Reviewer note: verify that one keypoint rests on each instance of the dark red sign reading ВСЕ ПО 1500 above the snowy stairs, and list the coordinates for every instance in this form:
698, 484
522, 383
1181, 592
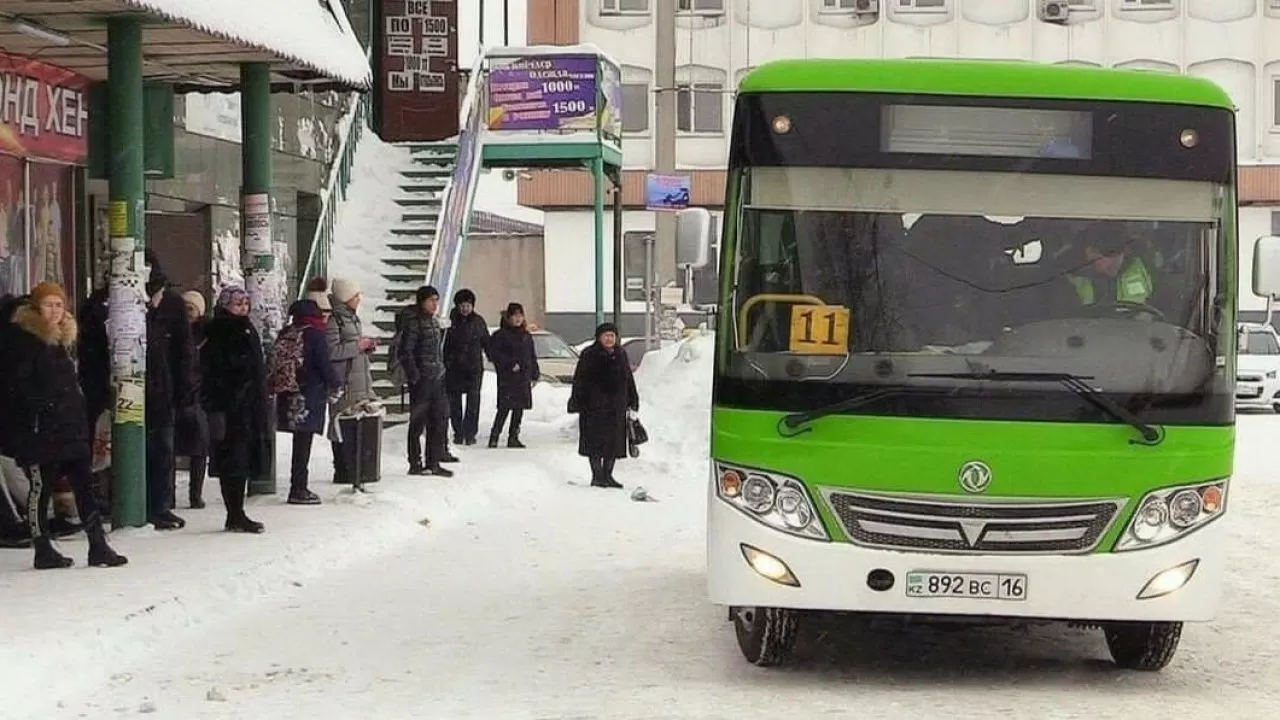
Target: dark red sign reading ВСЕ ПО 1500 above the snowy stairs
417, 94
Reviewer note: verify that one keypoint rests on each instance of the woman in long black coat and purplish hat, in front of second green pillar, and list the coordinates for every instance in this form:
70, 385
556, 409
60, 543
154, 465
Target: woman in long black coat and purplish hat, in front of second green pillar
235, 398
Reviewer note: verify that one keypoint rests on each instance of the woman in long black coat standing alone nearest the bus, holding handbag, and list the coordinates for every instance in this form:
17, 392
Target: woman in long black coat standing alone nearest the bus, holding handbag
605, 391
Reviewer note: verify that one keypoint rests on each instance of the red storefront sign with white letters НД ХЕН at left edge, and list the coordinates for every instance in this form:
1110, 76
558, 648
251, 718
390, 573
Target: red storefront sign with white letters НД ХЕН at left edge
44, 111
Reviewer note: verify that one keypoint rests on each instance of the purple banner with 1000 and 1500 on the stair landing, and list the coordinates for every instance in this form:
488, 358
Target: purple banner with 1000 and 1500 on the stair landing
543, 93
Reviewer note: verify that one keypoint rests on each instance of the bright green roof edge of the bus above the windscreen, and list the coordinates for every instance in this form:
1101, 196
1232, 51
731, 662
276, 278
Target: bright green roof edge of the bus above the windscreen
1000, 79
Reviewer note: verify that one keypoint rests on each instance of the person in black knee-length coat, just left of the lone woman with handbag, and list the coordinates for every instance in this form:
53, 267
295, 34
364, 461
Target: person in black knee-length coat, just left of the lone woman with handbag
511, 349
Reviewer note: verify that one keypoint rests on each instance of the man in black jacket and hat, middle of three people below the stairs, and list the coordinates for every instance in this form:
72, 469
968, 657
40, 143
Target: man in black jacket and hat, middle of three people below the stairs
465, 345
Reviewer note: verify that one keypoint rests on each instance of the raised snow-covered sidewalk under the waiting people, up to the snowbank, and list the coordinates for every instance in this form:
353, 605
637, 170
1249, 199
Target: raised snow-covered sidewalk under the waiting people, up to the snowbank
89, 623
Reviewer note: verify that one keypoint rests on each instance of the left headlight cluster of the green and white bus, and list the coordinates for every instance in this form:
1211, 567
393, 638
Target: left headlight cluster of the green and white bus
779, 502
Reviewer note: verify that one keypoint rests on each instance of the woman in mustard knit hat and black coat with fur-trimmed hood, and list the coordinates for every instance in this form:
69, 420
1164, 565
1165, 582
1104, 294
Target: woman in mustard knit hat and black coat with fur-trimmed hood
47, 420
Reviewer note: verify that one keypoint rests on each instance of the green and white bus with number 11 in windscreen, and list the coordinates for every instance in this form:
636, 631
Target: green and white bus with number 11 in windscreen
976, 353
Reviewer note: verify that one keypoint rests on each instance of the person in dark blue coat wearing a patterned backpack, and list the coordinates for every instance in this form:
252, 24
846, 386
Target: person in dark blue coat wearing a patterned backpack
303, 412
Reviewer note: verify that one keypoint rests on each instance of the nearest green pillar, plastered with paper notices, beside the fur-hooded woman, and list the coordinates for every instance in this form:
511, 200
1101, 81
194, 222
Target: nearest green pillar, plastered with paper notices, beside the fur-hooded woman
127, 308
